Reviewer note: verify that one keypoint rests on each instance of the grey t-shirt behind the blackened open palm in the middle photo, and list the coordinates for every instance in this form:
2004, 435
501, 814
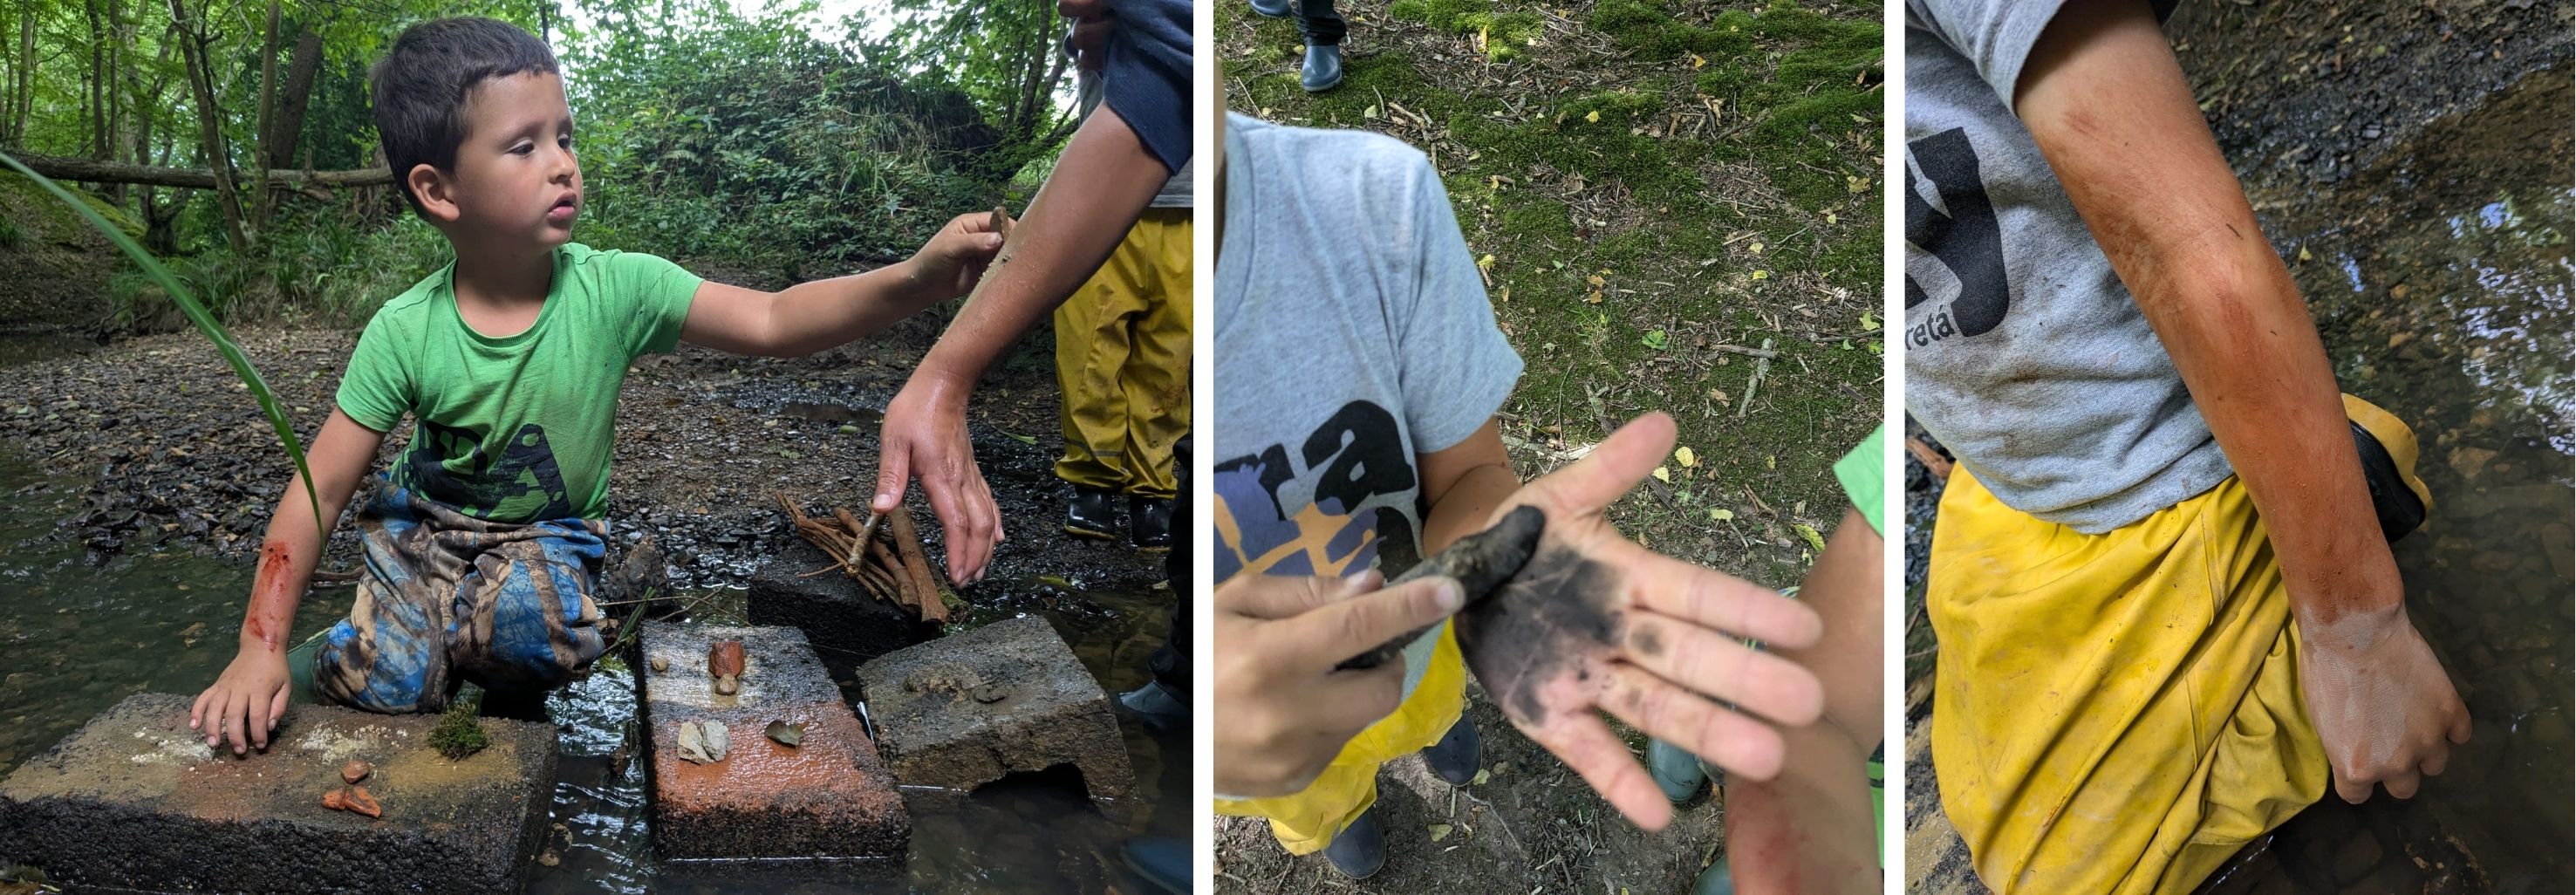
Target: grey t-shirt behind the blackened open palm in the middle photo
1356, 334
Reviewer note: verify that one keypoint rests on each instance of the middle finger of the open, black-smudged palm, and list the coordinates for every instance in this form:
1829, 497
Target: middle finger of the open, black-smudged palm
1722, 669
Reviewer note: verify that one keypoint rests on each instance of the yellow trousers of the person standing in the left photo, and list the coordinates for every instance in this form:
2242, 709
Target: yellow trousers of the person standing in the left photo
1124, 362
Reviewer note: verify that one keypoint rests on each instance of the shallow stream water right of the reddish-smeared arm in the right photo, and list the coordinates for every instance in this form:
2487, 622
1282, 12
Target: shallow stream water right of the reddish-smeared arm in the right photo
2441, 285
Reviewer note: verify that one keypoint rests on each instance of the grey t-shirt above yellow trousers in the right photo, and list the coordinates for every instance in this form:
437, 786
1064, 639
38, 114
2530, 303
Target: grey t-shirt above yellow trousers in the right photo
2023, 349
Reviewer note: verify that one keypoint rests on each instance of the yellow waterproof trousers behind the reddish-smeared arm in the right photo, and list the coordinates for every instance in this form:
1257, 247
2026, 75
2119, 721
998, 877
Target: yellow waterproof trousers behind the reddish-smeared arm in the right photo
2119, 713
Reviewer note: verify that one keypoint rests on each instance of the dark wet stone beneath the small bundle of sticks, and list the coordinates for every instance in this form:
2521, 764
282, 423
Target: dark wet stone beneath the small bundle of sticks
838, 618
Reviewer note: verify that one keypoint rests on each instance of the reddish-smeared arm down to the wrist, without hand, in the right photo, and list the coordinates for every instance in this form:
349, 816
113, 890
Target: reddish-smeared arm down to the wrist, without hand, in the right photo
2108, 107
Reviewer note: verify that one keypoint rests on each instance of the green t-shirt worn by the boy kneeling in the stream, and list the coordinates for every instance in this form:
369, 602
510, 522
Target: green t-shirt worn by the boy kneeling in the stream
516, 429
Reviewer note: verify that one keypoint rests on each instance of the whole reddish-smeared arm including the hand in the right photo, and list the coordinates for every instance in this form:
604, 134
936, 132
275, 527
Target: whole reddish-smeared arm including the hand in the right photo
2108, 107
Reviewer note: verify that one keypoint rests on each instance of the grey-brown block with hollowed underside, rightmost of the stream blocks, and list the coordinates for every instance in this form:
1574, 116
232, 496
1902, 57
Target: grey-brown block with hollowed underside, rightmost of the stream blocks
1009, 698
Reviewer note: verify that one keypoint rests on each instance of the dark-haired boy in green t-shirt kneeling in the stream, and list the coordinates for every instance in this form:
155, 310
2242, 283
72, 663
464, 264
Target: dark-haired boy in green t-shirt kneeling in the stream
488, 538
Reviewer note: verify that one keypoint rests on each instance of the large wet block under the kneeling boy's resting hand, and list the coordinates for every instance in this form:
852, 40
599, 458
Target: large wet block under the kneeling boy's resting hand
135, 801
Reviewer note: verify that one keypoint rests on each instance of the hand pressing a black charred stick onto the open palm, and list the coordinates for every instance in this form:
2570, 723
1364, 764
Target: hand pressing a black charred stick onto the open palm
1282, 708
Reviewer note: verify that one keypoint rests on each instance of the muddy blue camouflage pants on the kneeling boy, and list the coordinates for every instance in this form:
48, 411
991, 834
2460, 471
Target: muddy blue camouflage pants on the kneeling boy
452, 600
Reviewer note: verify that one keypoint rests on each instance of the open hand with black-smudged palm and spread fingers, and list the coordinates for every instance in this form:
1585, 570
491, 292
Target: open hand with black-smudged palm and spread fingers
1601, 623
